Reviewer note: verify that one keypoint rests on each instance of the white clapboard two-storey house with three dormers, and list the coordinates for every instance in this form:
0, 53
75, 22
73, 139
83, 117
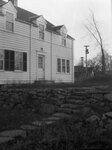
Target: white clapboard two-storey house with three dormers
32, 48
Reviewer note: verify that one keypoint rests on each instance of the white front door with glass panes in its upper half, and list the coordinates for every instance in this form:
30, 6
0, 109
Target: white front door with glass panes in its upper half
41, 67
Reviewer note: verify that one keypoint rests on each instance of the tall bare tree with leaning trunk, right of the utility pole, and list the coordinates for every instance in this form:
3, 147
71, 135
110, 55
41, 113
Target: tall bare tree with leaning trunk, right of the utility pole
94, 31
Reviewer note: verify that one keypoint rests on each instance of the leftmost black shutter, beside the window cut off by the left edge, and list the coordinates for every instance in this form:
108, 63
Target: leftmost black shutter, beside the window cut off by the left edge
7, 60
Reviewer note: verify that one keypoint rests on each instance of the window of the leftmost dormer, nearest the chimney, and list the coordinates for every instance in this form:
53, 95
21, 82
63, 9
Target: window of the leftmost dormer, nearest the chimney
9, 22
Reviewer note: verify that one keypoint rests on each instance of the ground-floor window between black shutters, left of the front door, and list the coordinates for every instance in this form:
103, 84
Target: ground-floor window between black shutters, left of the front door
18, 61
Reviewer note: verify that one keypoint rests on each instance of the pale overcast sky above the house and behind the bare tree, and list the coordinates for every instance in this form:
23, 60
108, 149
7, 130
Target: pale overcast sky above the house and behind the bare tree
74, 14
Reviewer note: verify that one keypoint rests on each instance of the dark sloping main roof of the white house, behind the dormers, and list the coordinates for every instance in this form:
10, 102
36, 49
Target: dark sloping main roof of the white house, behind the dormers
24, 15
